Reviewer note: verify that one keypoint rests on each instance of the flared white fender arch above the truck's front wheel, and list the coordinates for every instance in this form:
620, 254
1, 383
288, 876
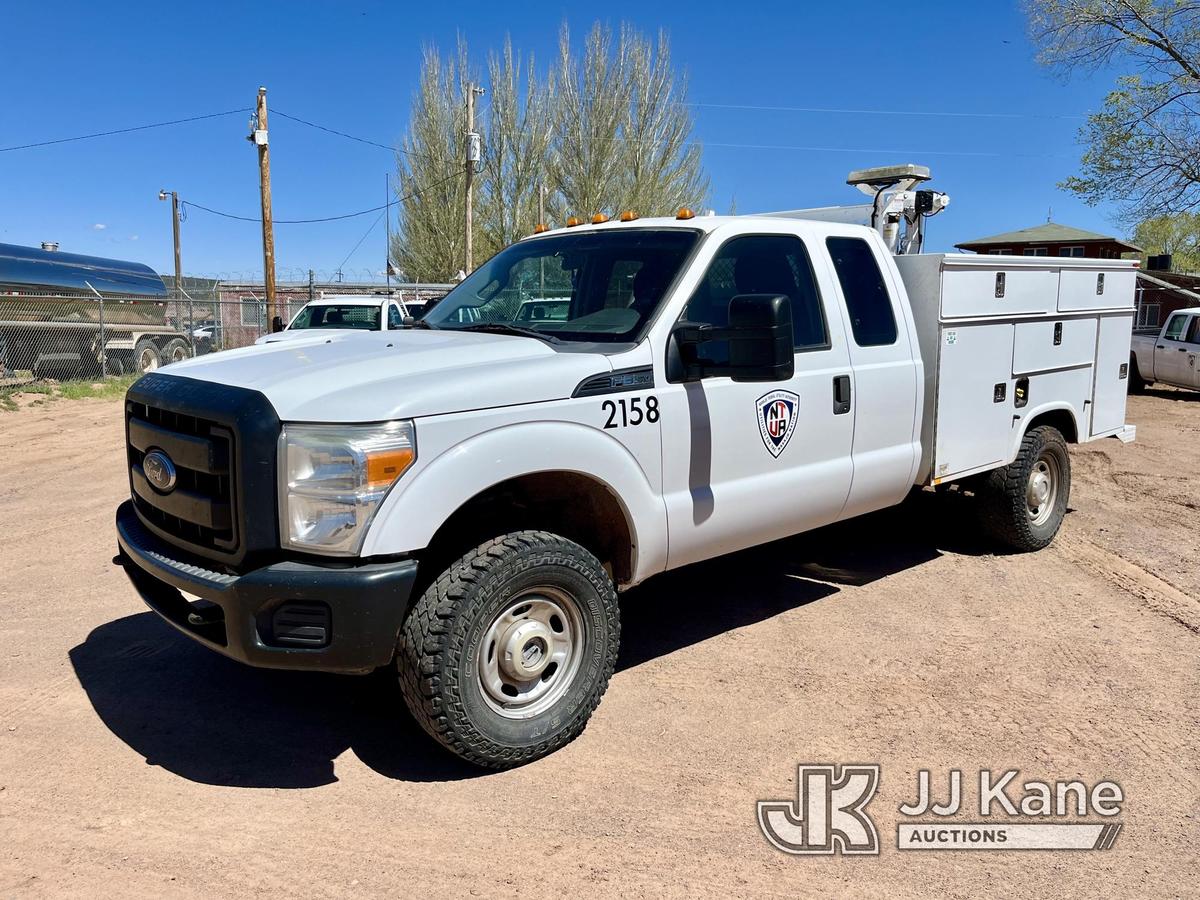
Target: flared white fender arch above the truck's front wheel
427, 499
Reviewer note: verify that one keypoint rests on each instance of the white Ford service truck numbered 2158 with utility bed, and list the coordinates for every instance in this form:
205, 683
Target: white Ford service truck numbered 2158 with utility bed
464, 500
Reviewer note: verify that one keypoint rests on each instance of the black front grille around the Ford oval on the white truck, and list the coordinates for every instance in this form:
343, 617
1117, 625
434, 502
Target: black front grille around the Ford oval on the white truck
201, 509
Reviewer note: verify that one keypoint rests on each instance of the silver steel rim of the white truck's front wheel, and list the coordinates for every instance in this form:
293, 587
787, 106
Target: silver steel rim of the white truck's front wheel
531, 653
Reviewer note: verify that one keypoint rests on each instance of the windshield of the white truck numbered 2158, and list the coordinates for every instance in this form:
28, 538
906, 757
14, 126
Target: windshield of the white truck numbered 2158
596, 286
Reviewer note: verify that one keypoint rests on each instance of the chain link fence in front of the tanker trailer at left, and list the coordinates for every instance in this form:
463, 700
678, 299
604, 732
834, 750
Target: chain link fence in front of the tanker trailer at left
63, 338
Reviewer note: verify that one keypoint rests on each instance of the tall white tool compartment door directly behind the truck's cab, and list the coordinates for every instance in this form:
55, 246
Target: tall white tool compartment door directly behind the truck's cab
974, 428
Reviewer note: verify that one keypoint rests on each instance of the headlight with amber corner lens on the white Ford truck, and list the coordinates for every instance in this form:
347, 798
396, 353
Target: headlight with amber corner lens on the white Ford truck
337, 477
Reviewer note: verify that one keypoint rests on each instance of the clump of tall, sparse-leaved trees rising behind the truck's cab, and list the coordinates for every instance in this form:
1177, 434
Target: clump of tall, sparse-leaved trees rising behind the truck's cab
605, 131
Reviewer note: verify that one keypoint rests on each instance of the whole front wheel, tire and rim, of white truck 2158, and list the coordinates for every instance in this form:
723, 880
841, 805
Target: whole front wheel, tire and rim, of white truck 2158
507, 655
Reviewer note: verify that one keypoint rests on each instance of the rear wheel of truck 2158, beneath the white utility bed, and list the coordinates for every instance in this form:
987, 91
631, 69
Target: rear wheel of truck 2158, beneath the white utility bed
1024, 503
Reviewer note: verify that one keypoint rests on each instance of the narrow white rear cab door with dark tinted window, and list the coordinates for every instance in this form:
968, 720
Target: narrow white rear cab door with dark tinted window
886, 377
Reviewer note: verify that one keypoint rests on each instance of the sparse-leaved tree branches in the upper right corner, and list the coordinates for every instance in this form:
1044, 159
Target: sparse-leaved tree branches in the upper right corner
1143, 149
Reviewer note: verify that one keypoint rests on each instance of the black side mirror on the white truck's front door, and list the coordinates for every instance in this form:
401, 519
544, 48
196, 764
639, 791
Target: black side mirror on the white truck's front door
759, 337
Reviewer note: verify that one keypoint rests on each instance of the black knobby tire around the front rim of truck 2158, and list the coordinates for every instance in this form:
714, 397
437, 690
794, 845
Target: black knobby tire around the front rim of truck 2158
437, 655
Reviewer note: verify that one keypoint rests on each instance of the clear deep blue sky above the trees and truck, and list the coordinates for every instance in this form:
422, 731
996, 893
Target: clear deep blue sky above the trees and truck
998, 131
